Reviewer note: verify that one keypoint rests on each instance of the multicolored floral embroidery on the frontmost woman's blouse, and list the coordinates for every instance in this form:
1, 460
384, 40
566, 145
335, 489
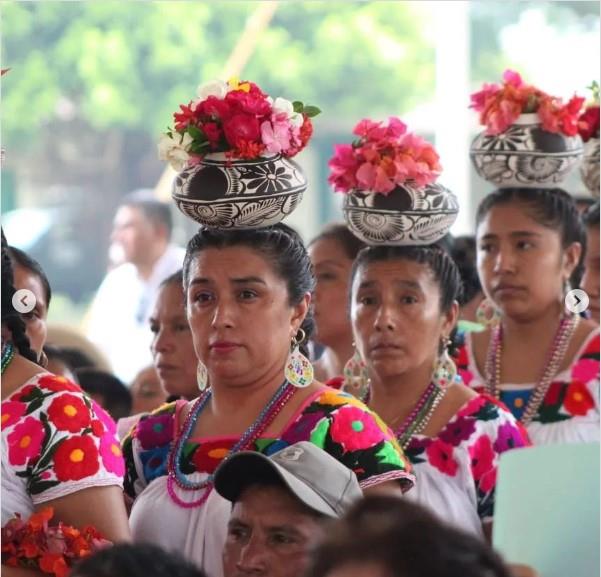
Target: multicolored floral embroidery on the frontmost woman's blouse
334, 421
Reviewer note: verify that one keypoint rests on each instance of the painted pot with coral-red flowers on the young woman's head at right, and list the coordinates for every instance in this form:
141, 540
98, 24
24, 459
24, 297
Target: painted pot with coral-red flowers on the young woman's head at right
531, 138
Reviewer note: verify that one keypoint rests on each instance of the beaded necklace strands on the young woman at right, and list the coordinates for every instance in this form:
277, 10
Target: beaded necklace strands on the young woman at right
566, 329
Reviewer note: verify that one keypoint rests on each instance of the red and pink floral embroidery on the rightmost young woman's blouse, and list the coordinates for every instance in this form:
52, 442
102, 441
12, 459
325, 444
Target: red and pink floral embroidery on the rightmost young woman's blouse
564, 400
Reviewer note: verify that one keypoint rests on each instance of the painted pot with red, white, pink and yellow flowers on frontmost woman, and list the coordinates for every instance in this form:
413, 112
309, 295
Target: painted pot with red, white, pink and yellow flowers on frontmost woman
232, 149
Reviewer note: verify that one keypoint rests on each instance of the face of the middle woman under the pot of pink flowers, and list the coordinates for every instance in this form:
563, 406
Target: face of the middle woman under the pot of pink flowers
396, 317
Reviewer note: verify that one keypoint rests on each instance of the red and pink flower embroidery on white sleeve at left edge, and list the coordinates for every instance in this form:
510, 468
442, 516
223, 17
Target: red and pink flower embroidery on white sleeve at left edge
56, 435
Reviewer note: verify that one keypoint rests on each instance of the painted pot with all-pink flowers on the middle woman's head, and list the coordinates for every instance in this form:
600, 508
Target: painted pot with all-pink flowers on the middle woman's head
388, 176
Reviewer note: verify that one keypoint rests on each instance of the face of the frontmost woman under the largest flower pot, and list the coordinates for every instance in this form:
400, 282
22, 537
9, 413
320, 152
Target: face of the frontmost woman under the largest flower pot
239, 312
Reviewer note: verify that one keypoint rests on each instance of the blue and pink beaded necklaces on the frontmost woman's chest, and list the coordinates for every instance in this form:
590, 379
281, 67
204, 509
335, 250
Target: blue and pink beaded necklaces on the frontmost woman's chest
174, 472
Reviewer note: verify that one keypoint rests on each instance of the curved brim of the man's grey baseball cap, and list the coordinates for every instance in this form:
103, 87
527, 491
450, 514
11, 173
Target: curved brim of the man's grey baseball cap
249, 468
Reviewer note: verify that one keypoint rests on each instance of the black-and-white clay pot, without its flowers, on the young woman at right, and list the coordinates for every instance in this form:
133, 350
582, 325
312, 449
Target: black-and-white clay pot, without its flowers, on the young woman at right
525, 155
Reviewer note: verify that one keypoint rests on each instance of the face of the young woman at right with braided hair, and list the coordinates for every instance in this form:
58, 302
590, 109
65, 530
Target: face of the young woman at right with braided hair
521, 264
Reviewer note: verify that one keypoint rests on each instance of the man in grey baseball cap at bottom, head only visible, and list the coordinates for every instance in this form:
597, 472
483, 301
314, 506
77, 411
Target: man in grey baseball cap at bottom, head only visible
281, 505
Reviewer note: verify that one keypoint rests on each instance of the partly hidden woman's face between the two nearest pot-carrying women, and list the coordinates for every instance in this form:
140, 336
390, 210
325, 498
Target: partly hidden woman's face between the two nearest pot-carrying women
332, 269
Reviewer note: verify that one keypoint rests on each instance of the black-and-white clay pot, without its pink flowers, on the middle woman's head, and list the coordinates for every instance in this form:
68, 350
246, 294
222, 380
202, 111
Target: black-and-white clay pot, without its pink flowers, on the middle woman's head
409, 215
